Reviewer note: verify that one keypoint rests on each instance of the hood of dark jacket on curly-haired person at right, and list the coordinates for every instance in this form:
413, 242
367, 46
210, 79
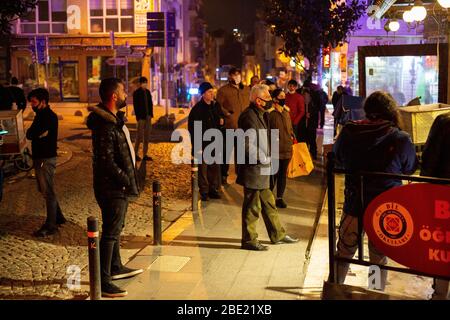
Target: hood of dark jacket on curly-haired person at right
368, 134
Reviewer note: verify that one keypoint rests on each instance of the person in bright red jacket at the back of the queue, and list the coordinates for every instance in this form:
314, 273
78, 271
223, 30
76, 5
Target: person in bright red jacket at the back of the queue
296, 105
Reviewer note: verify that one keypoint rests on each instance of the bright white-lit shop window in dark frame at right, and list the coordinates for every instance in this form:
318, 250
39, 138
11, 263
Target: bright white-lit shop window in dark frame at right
405, 77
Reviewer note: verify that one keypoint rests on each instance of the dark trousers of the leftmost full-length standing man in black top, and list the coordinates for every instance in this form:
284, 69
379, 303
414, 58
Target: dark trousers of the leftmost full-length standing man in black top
45, 173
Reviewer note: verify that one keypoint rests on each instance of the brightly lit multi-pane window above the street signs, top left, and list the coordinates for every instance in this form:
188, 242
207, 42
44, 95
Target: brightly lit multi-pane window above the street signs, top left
111, 15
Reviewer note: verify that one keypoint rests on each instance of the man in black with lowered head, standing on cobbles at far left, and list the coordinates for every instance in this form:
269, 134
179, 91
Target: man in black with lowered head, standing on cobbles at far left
43, 134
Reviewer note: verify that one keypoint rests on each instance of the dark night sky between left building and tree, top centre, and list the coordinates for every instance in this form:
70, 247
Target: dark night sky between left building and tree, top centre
230, 14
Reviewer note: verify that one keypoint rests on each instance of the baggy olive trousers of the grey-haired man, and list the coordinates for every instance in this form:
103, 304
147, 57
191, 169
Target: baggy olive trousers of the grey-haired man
255, 202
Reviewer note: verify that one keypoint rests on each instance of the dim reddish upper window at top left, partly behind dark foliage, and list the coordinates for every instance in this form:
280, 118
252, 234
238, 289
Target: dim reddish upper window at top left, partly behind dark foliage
49, 17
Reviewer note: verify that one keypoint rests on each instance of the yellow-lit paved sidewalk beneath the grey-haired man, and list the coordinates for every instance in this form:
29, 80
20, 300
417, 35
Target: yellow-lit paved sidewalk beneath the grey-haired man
201, 256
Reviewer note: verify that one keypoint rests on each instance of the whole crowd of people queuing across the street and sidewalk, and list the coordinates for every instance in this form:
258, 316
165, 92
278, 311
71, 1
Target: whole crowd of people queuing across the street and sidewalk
296, 111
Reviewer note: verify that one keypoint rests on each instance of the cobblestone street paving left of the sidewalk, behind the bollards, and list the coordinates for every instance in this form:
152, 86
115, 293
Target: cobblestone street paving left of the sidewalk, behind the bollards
32, 268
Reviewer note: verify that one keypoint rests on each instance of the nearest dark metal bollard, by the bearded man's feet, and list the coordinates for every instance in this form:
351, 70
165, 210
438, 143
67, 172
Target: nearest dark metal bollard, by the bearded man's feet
94, 259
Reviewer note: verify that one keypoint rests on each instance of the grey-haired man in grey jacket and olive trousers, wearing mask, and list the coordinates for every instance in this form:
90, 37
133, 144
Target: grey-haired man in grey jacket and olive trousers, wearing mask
254, 176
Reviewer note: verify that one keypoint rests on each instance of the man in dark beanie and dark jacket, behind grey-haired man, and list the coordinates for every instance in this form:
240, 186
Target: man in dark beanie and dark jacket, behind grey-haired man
208, 114
